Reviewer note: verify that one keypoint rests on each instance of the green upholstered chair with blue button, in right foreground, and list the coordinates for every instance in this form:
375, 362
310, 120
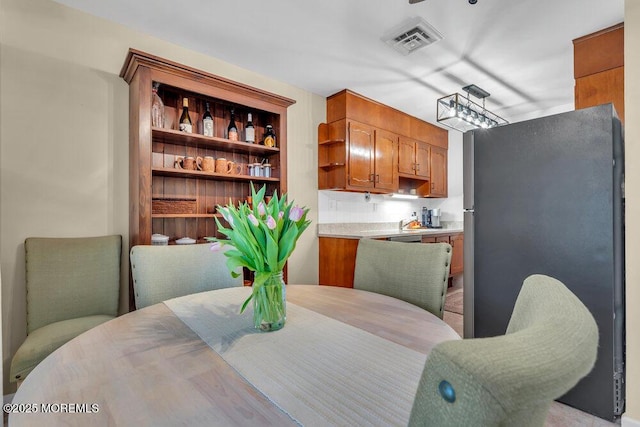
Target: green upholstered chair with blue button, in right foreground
511, 380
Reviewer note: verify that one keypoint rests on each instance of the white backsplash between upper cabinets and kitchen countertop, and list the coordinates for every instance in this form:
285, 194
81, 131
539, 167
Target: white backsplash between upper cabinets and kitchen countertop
344, 207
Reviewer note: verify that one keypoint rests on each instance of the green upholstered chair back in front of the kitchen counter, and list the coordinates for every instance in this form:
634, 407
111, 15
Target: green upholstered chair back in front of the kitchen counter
416, 273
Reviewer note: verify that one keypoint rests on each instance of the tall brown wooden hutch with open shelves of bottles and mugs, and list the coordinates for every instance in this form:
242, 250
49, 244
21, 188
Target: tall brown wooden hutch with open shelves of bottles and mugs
167, 199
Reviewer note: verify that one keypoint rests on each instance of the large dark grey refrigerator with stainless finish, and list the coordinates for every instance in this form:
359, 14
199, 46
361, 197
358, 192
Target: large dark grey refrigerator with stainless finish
547, 196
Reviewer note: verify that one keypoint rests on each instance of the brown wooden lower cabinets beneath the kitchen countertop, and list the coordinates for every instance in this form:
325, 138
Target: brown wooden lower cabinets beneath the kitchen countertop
338, 257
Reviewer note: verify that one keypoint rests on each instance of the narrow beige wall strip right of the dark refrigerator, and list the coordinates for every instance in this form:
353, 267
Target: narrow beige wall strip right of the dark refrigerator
632, 190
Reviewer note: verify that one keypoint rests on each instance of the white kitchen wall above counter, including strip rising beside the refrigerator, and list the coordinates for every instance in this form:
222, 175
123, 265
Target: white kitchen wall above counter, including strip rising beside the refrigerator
342, 207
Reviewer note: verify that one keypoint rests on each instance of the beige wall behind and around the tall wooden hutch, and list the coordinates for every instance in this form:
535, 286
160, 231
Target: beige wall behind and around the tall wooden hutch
64, 138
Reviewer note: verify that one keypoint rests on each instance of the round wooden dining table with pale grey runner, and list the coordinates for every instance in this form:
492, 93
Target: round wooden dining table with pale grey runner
344, 357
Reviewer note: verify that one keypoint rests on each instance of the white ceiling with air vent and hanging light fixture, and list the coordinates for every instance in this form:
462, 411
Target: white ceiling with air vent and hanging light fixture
520, 51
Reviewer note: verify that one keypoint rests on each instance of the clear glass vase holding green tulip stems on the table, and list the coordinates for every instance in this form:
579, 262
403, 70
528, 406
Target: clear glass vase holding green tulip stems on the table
270, 304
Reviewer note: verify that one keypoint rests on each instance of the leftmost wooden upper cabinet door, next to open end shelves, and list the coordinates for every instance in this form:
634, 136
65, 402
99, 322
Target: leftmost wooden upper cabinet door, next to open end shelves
361, 155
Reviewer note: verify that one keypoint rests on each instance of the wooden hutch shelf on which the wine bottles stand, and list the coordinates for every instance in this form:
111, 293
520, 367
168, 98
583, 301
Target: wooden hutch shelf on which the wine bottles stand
170, 136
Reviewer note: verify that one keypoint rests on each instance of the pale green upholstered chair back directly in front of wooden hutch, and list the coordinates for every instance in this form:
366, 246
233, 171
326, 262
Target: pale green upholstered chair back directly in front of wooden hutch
164, 272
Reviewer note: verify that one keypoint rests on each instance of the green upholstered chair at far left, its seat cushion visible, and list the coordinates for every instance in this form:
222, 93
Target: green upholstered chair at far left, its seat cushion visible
73, 284
